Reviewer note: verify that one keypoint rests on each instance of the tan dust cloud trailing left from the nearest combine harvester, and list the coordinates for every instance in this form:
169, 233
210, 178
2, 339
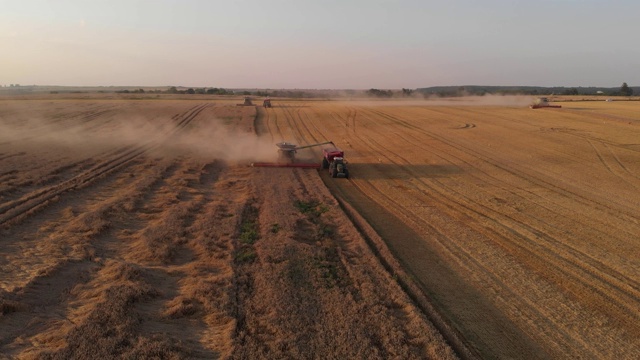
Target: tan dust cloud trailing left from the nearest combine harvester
209, 139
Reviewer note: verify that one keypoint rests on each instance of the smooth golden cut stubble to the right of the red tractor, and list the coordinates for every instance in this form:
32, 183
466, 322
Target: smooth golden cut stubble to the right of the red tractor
522, 226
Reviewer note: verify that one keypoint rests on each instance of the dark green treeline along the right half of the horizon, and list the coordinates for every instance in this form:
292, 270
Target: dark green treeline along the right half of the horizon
449, 91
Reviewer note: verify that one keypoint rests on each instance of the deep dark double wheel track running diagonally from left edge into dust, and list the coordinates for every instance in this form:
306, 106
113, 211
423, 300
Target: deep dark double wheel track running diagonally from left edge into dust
39, 198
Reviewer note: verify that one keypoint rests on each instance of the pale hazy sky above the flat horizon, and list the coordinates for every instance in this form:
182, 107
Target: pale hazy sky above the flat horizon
320, 44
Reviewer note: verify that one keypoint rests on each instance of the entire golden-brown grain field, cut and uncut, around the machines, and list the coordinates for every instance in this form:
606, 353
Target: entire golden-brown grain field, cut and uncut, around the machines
136, 228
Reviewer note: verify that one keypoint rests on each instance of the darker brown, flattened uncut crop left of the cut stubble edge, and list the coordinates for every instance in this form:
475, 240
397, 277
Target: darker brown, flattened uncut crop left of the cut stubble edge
136, 229
